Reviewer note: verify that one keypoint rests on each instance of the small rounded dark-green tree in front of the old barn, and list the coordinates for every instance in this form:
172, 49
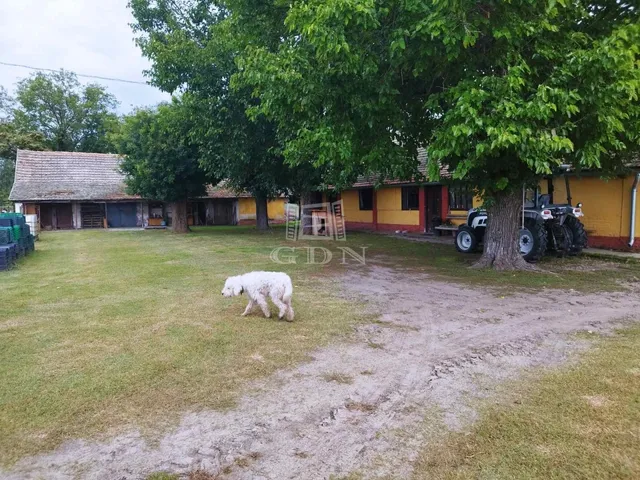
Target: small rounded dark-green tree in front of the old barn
161, 158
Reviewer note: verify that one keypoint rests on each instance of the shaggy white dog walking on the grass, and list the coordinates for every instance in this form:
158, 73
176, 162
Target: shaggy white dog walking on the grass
259, 285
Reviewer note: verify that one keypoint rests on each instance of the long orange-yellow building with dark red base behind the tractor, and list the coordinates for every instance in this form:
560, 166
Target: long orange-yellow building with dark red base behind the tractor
434, 206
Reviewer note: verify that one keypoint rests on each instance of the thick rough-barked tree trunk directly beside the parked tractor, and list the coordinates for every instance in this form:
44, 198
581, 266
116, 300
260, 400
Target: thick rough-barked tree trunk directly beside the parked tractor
501, 247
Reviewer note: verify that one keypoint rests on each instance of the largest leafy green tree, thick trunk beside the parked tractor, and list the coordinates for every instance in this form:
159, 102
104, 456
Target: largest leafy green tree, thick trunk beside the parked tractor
498, 92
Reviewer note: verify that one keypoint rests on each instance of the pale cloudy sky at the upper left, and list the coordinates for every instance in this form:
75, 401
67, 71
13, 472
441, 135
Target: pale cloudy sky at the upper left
84, 36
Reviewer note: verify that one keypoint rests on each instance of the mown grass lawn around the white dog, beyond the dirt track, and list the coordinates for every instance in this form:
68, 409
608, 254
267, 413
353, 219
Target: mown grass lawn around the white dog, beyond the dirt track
102, 330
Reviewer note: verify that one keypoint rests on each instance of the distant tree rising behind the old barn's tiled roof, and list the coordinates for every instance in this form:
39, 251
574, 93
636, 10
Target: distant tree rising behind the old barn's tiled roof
71, 116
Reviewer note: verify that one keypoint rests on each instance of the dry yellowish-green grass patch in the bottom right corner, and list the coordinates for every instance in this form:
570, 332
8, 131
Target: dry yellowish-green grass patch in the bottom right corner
580, 422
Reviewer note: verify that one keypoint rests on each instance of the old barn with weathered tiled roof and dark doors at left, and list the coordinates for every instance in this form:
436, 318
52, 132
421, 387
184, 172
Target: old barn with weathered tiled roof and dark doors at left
72, 190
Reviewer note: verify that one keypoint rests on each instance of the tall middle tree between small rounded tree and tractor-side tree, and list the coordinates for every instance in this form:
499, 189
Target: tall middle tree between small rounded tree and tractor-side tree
193, 46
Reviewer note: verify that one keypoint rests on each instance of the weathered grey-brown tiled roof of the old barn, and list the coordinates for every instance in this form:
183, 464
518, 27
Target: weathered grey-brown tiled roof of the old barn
64, 176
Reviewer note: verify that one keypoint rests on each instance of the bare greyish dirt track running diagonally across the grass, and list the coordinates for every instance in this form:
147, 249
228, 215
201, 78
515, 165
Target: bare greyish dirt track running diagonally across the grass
361, 406
